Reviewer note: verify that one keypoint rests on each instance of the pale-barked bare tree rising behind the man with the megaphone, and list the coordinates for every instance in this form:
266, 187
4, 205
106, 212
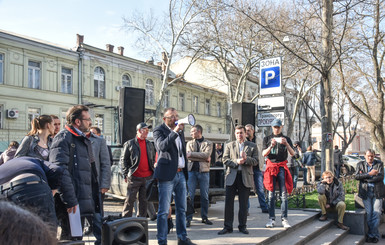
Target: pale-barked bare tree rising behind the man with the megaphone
164, 35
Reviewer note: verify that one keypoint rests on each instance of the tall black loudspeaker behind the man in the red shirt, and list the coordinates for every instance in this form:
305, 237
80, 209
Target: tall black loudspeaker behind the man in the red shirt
131, 112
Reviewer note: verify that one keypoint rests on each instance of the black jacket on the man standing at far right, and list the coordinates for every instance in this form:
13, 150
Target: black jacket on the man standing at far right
364, 178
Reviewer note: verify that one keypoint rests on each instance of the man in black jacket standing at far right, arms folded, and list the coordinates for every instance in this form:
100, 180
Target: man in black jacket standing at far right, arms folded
370, 173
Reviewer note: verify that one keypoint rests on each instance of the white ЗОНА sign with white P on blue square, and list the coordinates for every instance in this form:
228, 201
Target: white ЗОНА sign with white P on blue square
270, 76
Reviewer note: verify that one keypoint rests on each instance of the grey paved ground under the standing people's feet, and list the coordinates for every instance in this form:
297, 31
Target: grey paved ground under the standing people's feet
203, 234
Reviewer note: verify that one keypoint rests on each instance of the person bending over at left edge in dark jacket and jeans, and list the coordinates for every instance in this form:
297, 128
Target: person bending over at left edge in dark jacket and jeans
28, 182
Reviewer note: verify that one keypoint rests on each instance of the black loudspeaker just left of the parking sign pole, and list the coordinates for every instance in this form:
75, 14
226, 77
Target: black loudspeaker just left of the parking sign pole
242, 114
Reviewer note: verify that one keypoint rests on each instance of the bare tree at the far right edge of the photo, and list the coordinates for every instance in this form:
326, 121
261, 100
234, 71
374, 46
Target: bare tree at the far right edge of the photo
367, 88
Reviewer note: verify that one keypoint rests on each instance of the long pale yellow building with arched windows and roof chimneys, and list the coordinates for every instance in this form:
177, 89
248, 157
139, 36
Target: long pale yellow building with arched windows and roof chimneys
38, 77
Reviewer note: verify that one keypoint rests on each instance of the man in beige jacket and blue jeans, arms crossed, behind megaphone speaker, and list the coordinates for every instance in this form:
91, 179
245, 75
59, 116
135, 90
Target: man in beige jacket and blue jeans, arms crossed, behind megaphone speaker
198, 154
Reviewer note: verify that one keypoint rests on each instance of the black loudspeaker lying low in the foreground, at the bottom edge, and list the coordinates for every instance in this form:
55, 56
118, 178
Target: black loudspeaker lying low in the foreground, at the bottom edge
125, 231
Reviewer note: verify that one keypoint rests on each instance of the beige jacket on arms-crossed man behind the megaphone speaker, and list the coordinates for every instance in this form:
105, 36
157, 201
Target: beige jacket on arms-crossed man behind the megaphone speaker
201, 155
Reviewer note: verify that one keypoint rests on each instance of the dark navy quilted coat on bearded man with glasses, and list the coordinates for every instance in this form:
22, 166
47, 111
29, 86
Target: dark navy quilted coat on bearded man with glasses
83, 178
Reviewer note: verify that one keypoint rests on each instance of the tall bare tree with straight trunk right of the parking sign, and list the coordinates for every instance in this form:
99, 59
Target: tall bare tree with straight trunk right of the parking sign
315, 26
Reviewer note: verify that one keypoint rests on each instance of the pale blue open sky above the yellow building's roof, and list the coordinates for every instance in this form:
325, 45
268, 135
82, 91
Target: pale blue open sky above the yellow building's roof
58, 22
